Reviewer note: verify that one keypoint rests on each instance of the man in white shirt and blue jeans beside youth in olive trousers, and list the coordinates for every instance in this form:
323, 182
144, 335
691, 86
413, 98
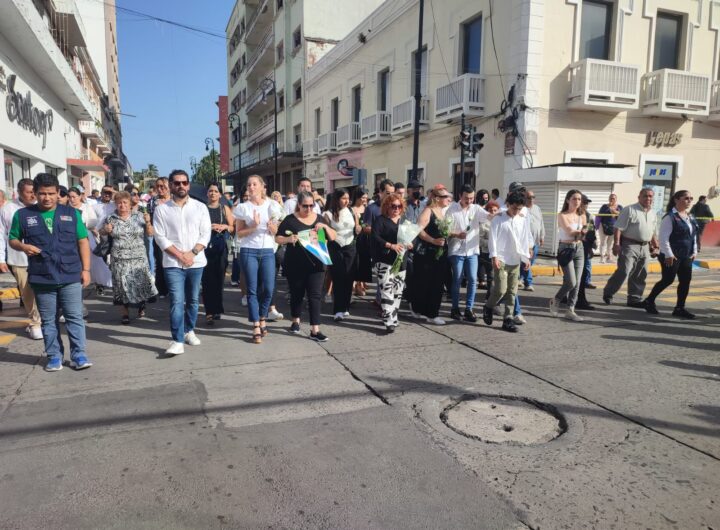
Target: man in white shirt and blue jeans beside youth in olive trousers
464, 249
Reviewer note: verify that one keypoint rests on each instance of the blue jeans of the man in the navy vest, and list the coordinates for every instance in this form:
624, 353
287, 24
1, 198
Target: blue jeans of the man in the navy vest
67, 299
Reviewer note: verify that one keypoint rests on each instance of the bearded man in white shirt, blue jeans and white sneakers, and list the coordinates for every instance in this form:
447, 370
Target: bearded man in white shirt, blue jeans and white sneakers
182, 231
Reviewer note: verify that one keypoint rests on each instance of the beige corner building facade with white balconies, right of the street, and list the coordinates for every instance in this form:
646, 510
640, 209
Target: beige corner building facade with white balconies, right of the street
614, 94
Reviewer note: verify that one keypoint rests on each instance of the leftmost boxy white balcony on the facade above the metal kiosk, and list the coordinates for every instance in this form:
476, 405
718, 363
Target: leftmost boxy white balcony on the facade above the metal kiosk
604, 85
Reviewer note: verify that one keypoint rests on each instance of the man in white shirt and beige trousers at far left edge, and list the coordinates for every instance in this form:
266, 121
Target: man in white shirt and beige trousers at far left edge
16, 260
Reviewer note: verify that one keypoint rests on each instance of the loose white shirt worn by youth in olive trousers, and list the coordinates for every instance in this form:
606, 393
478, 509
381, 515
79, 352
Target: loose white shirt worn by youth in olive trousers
510, 239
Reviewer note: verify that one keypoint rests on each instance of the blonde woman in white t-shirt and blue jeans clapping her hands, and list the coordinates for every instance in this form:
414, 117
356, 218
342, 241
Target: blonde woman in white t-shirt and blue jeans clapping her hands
256, 223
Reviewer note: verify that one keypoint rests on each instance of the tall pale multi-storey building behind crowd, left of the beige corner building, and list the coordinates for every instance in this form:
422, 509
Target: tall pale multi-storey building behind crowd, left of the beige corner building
271, 43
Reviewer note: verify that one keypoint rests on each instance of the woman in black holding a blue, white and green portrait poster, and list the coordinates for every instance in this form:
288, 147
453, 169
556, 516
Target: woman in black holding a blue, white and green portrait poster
304, 271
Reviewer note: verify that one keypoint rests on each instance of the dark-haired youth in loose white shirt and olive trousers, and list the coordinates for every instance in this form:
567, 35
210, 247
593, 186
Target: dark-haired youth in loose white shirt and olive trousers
509, 246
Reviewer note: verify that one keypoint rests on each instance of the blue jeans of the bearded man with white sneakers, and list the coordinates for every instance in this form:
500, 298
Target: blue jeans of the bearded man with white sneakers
184, 290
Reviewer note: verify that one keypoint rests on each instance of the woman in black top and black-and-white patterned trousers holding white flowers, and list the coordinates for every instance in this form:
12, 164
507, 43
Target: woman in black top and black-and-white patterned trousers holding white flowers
384, 248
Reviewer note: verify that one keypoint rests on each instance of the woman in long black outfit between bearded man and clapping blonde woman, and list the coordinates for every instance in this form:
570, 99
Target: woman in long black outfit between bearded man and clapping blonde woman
213, 279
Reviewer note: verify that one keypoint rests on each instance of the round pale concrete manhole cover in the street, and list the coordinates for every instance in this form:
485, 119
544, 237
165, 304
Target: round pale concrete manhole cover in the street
504, 419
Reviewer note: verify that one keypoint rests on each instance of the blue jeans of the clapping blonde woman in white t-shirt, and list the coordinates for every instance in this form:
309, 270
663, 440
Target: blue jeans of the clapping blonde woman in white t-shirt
259, 270
